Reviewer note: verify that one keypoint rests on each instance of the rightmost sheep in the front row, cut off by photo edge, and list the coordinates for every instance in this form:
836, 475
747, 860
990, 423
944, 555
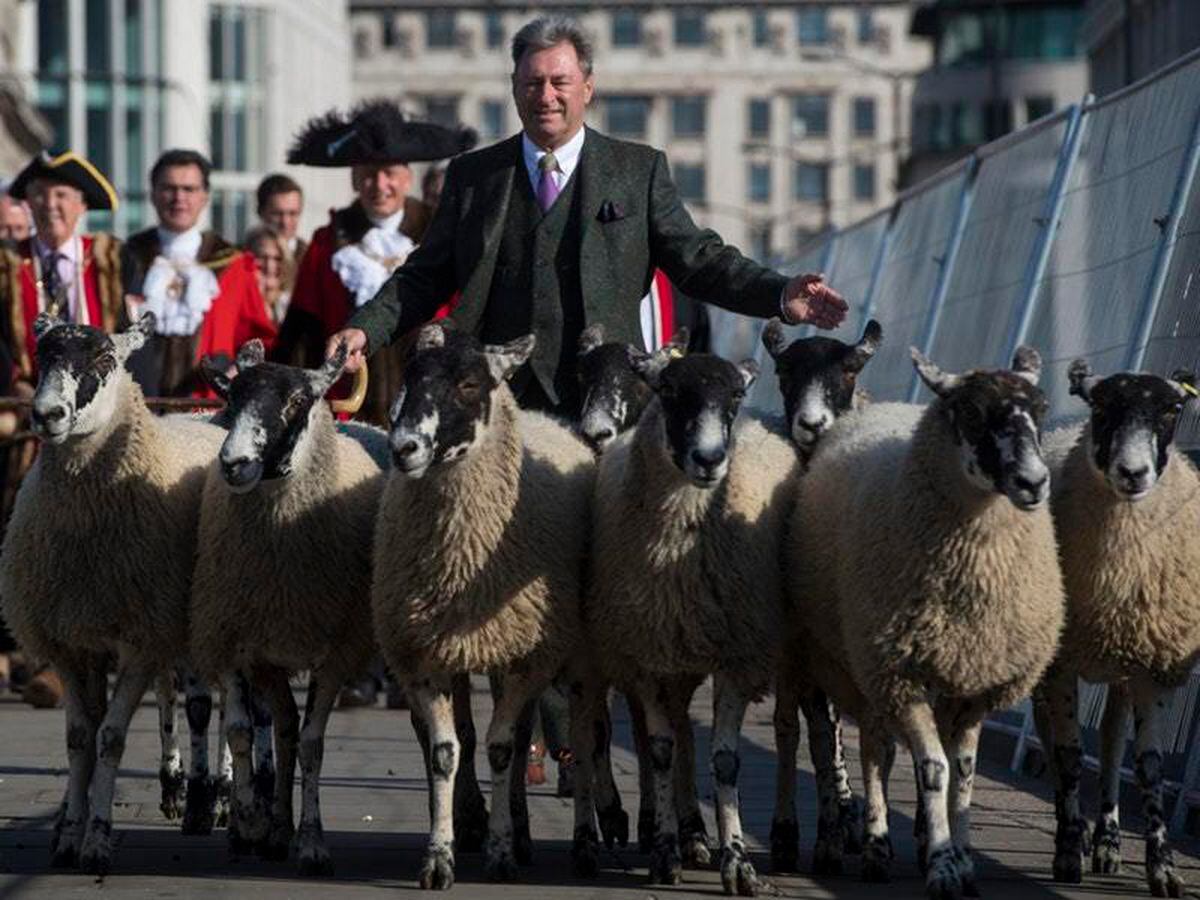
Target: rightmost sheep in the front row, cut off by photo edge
1126, 509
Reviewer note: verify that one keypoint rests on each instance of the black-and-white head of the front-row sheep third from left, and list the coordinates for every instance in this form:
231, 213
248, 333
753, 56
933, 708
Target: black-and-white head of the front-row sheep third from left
446, 404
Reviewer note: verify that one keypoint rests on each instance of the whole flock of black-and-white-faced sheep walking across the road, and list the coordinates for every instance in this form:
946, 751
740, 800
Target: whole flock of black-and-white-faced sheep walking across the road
914, 567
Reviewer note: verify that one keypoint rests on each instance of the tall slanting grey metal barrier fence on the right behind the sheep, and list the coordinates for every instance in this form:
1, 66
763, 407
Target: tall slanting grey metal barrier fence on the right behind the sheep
1079, 236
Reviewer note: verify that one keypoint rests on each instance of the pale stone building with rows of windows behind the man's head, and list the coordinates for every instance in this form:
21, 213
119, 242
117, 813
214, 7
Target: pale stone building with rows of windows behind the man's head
779, 119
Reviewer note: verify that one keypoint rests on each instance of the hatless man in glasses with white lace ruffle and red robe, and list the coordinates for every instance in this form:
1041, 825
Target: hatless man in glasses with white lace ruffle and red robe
201, 289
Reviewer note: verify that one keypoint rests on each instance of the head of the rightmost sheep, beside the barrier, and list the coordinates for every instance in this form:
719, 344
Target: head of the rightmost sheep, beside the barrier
1135, 417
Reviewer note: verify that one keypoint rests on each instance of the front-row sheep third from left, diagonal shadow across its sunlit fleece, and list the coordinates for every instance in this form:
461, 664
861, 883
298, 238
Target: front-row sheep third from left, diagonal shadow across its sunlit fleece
478, 561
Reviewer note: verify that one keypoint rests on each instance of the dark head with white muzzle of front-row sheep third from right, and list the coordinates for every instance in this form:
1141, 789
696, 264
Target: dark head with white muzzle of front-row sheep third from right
700, 397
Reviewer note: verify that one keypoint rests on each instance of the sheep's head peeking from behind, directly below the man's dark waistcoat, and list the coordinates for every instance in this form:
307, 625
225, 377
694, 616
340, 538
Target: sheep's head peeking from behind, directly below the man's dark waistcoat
614, 395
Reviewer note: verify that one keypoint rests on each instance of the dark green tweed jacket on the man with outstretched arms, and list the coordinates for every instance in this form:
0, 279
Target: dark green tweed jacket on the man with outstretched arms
633, 223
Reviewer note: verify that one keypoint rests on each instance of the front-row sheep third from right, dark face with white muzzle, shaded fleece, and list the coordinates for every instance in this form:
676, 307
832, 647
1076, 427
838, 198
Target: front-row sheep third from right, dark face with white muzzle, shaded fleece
686, 574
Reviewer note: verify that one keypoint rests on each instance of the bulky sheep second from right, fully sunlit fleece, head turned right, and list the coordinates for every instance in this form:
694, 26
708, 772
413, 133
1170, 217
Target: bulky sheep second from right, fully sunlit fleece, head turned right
922, 566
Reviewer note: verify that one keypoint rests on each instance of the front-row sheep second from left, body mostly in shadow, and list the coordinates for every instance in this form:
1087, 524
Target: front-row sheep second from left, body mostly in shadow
283, 580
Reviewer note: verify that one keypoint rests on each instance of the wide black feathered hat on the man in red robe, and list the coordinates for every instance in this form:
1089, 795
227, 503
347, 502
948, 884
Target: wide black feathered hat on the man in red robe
375, 133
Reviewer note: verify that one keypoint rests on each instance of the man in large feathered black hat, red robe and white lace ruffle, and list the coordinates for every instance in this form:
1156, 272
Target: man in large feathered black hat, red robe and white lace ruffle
351, 259
